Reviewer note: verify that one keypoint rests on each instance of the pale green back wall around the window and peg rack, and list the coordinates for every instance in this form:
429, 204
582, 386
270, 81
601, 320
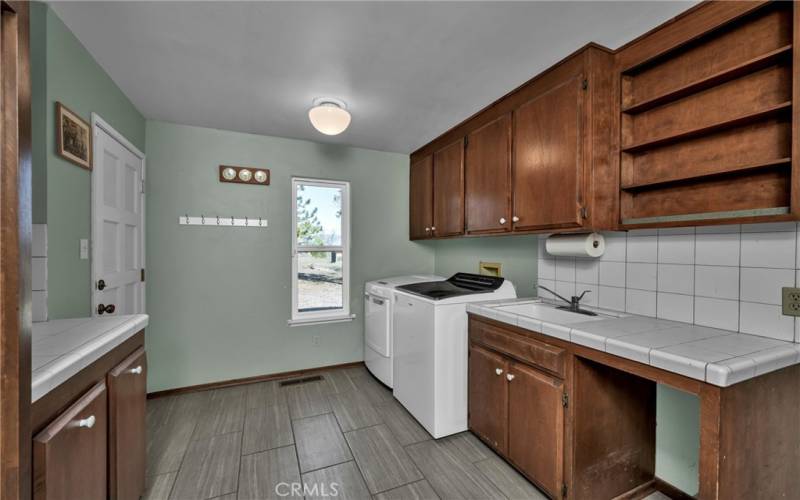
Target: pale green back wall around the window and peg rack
219, 298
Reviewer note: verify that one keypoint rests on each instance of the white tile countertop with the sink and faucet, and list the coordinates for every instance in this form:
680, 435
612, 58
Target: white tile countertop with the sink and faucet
719, 357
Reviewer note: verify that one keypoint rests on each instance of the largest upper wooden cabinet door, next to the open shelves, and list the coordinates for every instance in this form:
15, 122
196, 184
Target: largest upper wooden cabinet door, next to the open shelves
548, 158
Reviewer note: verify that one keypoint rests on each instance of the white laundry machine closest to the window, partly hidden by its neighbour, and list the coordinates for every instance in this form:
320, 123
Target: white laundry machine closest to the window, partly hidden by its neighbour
378, 307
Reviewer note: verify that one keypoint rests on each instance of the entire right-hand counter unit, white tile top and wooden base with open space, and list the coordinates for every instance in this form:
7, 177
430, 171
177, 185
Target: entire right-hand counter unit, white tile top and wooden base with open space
587, 386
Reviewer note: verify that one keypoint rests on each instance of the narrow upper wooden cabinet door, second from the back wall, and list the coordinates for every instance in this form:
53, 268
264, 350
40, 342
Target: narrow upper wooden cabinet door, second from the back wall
448, 190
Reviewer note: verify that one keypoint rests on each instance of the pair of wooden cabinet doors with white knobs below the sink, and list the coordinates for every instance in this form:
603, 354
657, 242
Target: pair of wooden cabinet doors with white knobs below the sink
519, 411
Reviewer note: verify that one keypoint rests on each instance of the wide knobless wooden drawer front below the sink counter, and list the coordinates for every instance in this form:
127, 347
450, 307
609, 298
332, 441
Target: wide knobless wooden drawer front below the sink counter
532, 351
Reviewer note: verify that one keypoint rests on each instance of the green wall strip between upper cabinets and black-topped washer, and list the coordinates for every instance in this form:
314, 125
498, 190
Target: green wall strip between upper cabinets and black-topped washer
517, 254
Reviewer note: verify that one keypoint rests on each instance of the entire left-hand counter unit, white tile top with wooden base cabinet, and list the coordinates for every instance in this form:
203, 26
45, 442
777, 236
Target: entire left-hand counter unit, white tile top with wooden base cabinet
88, 414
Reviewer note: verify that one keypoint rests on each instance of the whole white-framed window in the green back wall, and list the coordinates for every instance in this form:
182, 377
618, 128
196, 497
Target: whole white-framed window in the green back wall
320, 251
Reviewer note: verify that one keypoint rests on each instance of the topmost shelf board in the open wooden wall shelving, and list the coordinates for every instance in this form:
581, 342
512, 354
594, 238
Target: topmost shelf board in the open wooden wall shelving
718, 78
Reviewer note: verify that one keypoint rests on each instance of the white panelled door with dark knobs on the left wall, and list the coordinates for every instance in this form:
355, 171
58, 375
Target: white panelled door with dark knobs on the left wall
117, 224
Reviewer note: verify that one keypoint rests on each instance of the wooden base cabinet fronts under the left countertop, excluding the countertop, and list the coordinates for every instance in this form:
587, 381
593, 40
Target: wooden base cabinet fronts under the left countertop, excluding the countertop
91, 440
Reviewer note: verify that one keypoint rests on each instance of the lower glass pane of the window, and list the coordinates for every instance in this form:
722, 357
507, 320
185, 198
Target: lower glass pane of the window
319, 281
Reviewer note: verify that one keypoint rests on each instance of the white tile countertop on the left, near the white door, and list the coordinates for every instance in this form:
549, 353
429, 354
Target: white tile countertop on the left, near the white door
63, 347
